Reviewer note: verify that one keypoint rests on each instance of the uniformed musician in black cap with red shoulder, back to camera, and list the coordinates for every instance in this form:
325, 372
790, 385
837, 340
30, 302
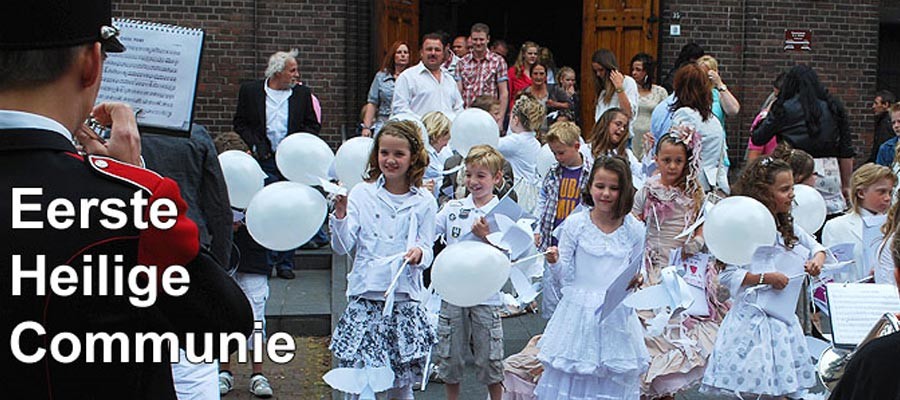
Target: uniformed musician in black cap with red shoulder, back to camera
81, 228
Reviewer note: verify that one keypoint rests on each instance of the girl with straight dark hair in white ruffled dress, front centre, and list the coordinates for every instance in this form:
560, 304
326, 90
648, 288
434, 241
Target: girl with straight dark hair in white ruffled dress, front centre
585, 358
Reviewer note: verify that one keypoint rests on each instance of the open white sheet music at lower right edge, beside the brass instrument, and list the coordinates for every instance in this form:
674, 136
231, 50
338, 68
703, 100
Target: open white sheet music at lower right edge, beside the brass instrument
856, 307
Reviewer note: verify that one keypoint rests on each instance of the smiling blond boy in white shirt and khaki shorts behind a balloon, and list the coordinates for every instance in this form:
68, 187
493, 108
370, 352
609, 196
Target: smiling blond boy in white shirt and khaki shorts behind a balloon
478, 327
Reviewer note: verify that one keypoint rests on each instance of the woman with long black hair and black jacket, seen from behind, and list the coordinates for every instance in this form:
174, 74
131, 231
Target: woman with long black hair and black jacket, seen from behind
809, 118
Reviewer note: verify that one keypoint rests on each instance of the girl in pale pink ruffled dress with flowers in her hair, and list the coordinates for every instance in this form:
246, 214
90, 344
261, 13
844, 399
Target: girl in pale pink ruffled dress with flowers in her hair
669, 204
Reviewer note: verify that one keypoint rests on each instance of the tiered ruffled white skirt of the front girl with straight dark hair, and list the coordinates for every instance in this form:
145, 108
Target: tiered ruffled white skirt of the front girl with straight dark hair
586, 359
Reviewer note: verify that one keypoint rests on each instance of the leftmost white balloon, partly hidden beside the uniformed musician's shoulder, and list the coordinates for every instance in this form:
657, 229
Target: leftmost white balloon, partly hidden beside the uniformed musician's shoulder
243, 177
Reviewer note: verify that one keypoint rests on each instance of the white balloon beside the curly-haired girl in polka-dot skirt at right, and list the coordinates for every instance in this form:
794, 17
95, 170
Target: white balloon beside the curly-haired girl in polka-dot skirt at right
736, 226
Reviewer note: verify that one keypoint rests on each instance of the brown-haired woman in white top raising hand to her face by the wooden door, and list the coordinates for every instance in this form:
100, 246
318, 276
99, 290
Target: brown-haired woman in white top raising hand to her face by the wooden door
614, 89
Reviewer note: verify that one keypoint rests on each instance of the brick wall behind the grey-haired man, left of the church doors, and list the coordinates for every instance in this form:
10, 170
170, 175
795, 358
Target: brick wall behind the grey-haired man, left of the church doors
332, 36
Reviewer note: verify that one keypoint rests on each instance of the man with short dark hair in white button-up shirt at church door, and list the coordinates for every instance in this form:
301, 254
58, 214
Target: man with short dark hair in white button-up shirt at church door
427, 87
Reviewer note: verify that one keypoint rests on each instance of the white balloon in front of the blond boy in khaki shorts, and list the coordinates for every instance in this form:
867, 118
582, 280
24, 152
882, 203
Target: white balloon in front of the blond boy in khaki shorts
468, 273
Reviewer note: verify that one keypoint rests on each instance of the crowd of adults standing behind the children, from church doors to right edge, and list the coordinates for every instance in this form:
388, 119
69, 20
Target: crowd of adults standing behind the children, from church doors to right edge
799, 112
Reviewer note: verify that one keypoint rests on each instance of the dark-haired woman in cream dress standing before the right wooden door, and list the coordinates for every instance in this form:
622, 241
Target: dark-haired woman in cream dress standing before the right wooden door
643, 70
